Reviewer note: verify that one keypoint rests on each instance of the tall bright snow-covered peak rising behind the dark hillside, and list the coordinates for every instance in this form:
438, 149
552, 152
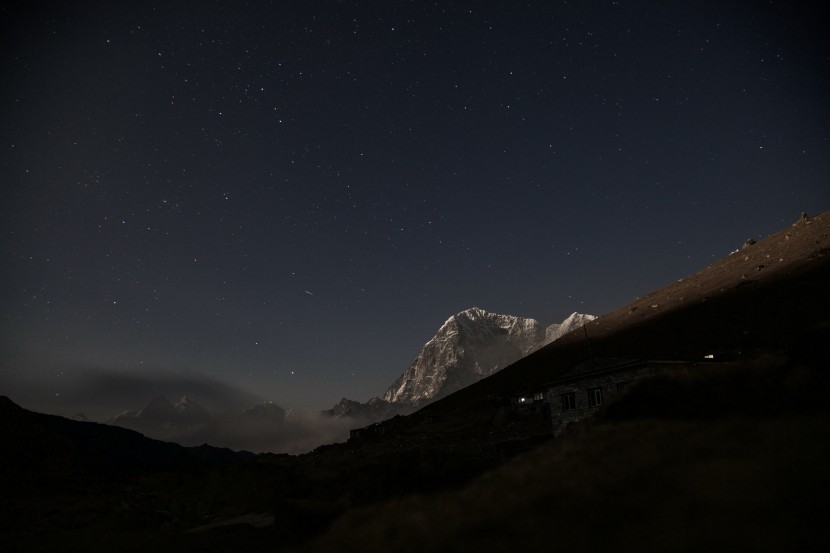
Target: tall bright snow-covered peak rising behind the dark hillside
470, 346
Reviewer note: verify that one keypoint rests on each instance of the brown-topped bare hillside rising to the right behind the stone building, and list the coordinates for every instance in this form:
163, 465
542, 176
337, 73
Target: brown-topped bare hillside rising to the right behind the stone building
771, 296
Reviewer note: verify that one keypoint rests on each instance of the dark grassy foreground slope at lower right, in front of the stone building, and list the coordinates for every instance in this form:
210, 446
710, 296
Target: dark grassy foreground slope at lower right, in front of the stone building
695, 473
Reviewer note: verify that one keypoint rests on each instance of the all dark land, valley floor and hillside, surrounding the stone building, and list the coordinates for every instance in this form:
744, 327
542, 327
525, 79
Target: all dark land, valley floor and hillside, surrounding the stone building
720, 456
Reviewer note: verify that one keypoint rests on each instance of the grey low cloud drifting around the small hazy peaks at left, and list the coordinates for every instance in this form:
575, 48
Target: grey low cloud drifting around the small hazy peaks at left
102, 395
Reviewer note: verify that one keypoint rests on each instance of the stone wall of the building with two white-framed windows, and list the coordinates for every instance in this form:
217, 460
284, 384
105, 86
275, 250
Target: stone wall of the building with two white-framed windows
607, 382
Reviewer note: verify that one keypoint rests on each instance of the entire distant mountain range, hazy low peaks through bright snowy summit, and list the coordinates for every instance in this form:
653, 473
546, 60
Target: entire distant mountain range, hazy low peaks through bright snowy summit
469, 346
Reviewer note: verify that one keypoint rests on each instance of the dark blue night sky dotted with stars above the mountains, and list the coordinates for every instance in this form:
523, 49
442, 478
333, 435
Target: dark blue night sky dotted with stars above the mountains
286, 199
